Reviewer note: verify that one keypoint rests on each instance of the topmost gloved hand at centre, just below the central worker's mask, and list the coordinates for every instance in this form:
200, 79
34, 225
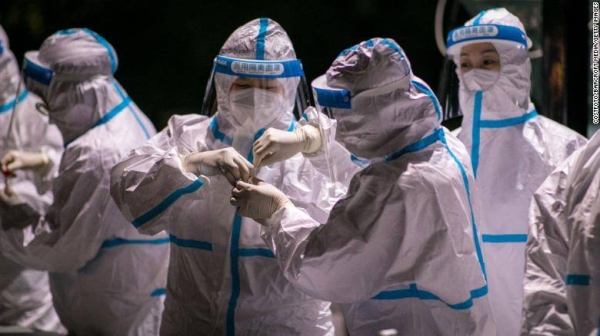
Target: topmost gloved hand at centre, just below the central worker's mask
277, 145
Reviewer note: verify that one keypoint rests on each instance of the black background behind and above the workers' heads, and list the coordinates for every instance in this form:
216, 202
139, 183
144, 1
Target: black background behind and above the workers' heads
166, 49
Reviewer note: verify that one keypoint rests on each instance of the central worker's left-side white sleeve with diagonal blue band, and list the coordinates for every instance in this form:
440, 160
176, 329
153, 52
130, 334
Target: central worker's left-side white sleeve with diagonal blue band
151, 179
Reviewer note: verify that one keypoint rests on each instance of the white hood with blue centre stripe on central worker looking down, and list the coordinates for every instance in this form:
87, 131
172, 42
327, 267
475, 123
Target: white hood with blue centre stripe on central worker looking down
258, 49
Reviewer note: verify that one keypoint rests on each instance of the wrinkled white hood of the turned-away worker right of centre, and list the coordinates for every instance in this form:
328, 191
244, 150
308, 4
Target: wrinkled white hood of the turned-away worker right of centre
380, 105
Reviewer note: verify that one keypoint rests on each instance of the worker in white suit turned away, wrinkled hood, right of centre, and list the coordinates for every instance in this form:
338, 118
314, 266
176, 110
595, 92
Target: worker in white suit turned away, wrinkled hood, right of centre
401, 249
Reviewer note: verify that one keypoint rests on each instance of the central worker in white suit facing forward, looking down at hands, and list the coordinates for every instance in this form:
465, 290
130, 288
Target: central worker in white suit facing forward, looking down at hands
222, 277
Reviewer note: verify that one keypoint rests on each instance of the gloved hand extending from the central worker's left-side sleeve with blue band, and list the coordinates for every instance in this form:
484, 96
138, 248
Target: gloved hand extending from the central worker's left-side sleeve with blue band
227, 162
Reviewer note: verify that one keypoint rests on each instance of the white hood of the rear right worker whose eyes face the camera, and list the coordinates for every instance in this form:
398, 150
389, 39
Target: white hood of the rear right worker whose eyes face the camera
507, 95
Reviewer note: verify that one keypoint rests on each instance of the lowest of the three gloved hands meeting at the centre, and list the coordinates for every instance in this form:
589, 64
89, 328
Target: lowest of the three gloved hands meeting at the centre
258, 200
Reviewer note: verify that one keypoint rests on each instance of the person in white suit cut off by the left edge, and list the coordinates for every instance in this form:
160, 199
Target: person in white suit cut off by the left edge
25, 298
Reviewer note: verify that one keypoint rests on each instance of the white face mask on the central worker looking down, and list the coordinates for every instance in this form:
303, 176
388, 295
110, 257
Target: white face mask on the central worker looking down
255, 108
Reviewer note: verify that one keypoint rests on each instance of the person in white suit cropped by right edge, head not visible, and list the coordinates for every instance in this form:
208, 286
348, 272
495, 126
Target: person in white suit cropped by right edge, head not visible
562, 276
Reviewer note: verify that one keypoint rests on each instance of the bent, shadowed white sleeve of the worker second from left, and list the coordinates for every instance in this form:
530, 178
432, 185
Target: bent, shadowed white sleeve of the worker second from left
71, 232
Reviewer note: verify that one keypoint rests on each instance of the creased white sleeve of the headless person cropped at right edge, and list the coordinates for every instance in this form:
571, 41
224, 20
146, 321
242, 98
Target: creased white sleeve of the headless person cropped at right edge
545, 308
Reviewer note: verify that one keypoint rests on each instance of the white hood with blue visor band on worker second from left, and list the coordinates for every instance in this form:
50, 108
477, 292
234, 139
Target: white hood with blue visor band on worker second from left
72, 72
